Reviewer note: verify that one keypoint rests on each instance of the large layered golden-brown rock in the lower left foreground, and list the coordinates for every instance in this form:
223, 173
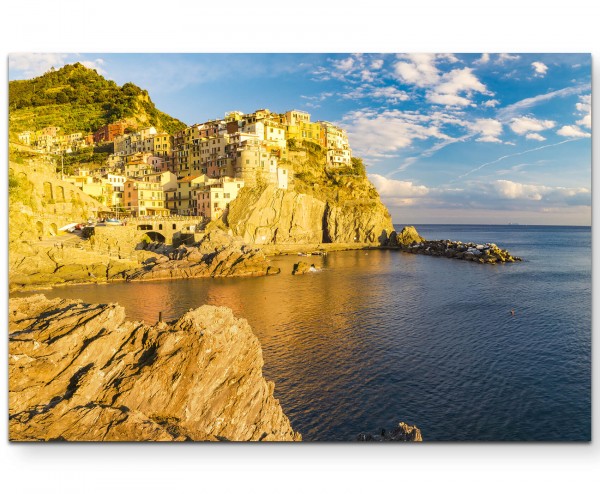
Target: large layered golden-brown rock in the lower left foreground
81, 372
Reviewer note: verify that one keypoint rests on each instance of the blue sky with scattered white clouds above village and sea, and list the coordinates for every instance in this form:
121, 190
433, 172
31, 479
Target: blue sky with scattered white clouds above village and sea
490, 138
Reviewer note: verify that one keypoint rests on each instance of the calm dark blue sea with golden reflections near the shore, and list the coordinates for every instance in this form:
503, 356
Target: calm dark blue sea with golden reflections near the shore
382, 336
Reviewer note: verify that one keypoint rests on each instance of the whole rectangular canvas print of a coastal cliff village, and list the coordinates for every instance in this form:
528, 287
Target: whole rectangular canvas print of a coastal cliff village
299, 247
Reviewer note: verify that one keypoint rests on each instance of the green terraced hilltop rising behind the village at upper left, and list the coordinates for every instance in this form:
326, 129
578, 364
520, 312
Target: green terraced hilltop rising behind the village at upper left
78, 99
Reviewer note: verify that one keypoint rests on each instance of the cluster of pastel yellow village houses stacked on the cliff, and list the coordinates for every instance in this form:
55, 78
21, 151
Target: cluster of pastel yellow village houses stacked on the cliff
197, 171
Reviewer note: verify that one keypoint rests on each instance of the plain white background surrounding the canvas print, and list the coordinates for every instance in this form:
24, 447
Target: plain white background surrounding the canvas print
464, 26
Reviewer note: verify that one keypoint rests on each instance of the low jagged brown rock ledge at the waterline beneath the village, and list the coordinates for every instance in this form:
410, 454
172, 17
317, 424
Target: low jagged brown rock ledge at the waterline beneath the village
196, 262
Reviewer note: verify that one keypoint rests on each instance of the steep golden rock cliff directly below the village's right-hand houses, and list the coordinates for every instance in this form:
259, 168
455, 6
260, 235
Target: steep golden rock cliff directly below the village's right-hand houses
322, 205
